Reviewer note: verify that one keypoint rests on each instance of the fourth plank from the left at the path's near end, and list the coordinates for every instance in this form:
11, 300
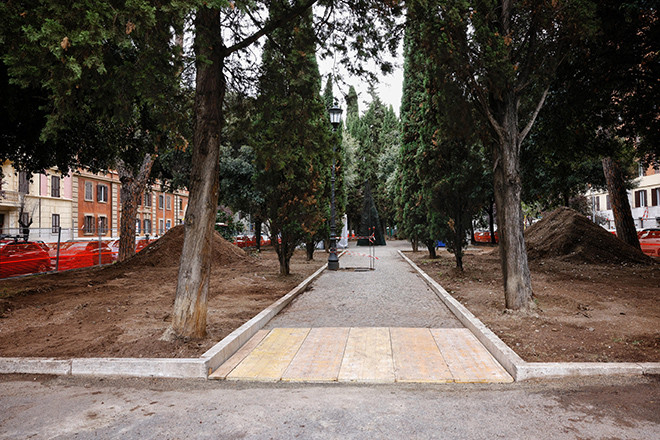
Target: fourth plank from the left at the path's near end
368, 356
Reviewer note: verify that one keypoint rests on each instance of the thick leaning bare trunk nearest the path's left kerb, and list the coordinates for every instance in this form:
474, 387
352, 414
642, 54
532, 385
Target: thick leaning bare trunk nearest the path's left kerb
190, 305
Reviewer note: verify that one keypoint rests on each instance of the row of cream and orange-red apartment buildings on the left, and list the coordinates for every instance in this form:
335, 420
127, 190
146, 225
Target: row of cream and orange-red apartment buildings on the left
83, 204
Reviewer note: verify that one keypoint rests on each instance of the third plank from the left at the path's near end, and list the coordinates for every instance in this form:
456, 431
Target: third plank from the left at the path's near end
319, 357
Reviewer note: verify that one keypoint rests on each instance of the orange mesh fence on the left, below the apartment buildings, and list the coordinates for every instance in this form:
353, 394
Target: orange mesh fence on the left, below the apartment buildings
26, 251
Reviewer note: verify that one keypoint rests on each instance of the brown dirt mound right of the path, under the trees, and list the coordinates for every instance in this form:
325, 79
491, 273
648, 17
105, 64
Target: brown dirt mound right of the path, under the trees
568, 235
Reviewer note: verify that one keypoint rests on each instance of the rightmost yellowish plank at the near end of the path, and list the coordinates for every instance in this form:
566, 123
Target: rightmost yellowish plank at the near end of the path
467, 358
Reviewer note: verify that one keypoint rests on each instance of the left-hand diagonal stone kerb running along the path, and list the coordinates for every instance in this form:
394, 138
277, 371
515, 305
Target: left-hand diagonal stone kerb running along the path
224, 349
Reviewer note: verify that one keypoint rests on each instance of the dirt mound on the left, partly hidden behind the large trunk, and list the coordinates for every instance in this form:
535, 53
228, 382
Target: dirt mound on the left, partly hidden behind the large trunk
166, 251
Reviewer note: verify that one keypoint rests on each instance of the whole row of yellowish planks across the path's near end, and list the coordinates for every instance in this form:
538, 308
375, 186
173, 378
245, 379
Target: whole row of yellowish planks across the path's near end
363, 355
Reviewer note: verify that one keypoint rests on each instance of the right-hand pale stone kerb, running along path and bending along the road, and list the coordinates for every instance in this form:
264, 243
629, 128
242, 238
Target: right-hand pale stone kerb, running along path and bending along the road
514, 364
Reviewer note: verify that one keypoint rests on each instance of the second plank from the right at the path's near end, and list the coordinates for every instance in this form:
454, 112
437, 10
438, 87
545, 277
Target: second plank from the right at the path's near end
417, 357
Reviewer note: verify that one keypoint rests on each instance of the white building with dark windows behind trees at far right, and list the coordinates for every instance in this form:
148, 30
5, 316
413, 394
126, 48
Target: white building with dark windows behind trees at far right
644, 201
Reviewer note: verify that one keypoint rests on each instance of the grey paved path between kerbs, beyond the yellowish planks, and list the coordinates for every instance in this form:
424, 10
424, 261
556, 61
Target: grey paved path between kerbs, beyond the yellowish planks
392, 295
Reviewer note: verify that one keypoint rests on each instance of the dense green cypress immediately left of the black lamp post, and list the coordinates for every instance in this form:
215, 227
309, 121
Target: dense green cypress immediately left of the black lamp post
293, 152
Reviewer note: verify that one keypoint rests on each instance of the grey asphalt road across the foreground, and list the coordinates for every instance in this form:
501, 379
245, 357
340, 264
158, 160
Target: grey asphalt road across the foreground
40, 407
